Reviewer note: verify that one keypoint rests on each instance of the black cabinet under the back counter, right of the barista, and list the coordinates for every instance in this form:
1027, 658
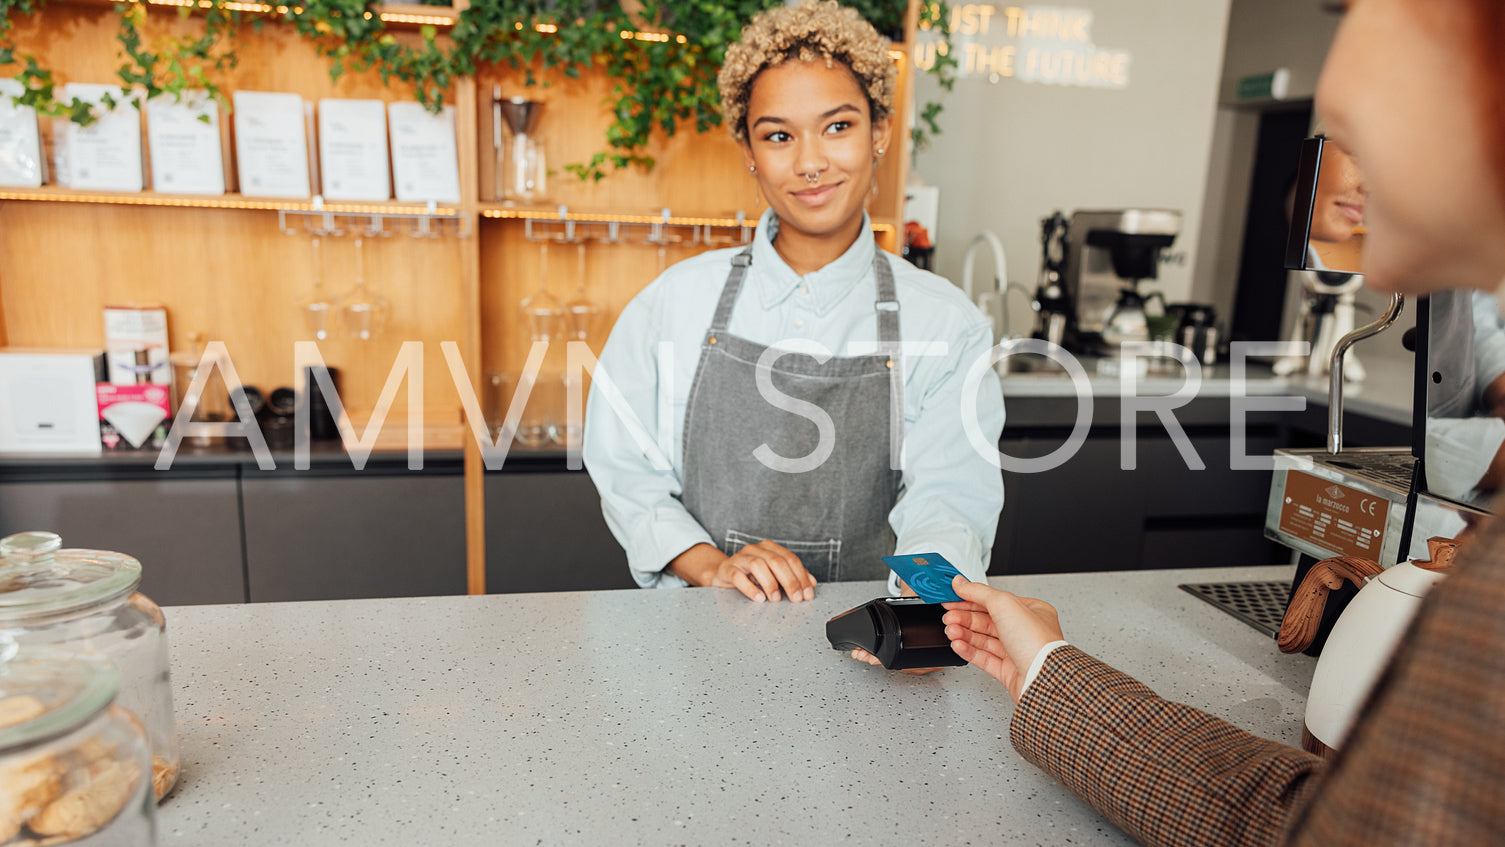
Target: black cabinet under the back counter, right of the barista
1092, 515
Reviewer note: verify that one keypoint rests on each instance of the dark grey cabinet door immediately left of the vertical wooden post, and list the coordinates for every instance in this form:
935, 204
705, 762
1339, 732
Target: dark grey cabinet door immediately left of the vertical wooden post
348, 535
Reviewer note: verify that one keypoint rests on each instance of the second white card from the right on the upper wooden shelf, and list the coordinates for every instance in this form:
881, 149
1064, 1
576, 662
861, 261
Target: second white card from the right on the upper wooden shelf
353, 150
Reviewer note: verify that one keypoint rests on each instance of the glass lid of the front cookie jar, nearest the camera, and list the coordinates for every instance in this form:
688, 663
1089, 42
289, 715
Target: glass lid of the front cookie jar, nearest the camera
49, 691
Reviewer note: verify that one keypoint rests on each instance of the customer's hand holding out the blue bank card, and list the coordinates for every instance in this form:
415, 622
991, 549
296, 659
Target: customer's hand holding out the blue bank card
1000, 633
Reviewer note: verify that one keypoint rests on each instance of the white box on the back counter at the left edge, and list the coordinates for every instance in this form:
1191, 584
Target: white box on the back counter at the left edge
47, 401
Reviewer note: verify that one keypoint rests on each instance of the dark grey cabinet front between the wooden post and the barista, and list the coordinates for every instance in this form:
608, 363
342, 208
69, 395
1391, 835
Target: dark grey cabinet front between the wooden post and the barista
546, 533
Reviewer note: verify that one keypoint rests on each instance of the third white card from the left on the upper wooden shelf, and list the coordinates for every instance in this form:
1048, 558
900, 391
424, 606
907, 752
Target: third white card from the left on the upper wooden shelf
184, 139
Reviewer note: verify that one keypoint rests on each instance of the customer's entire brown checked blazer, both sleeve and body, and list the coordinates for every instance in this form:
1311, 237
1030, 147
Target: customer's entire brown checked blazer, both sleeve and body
1424, 764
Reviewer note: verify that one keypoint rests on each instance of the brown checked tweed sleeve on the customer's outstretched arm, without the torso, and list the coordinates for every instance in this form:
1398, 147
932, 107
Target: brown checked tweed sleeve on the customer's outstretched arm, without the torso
1161, 771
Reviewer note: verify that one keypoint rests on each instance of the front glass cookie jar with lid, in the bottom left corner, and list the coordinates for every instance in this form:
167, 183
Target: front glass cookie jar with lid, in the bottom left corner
74, 768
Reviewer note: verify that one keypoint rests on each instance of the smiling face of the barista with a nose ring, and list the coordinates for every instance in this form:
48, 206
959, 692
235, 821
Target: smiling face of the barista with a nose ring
810, 120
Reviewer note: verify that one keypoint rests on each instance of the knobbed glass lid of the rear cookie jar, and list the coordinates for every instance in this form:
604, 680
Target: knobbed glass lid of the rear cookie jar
40, 578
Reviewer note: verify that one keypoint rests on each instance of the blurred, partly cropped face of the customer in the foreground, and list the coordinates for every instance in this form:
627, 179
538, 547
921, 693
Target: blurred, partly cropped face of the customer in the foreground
1396, 96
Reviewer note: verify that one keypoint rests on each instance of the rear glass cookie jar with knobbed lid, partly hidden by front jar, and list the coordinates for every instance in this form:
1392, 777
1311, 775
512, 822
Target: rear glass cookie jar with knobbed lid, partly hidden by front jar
88, 601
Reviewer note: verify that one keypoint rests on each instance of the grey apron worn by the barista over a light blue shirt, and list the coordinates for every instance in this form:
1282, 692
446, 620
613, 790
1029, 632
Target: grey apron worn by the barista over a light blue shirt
836, 517
